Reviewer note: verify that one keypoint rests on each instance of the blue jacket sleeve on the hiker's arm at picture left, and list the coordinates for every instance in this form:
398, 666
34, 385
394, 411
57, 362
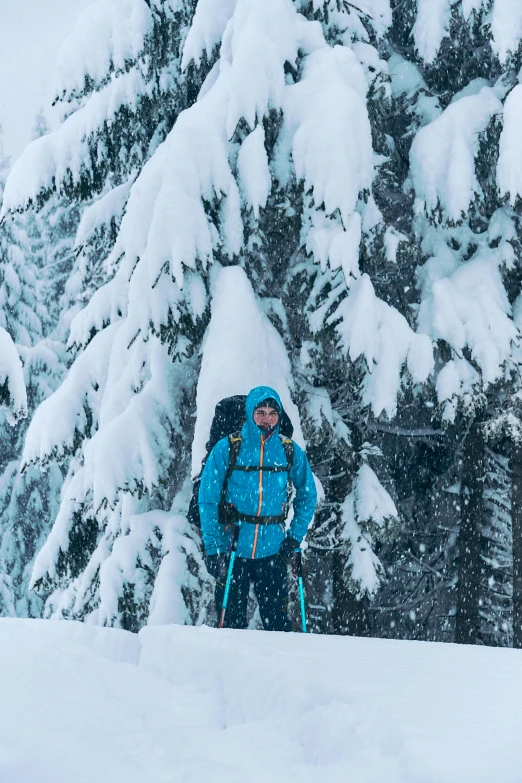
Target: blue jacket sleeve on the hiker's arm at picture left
215, 540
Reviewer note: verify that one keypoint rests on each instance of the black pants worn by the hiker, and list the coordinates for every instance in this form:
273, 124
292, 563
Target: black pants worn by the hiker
269, 576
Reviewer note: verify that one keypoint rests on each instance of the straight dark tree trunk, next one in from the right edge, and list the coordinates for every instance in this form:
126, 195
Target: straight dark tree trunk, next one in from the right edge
471, 512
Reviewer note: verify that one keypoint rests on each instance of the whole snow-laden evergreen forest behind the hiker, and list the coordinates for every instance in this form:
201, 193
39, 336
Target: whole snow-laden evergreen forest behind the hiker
319, 195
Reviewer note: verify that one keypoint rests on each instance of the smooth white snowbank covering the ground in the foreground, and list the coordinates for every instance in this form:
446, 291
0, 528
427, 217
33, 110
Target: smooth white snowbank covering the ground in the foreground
192, 705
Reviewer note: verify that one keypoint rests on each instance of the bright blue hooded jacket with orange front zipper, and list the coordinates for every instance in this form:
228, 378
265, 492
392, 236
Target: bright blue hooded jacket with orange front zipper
255, 493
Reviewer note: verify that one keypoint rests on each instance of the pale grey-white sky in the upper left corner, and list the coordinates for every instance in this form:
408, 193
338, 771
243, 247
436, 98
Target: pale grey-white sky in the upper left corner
31, 33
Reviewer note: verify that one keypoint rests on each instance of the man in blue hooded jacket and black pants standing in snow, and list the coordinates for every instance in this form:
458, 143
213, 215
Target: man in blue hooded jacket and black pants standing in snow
258, 497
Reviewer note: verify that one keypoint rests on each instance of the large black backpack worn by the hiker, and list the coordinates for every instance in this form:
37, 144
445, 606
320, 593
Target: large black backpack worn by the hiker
229, 417
